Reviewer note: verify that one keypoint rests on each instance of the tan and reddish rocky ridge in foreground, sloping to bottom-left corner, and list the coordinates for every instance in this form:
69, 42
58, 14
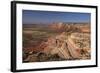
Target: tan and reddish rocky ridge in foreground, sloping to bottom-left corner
60, 47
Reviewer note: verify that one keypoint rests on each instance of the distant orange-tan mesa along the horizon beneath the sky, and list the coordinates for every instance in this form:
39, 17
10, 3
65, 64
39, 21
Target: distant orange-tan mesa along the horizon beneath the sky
73, 27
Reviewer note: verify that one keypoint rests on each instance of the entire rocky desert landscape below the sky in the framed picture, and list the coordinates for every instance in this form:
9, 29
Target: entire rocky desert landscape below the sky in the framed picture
56, 41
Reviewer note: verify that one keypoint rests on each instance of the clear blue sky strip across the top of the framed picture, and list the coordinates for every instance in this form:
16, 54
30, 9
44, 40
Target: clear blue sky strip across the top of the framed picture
32, 16
